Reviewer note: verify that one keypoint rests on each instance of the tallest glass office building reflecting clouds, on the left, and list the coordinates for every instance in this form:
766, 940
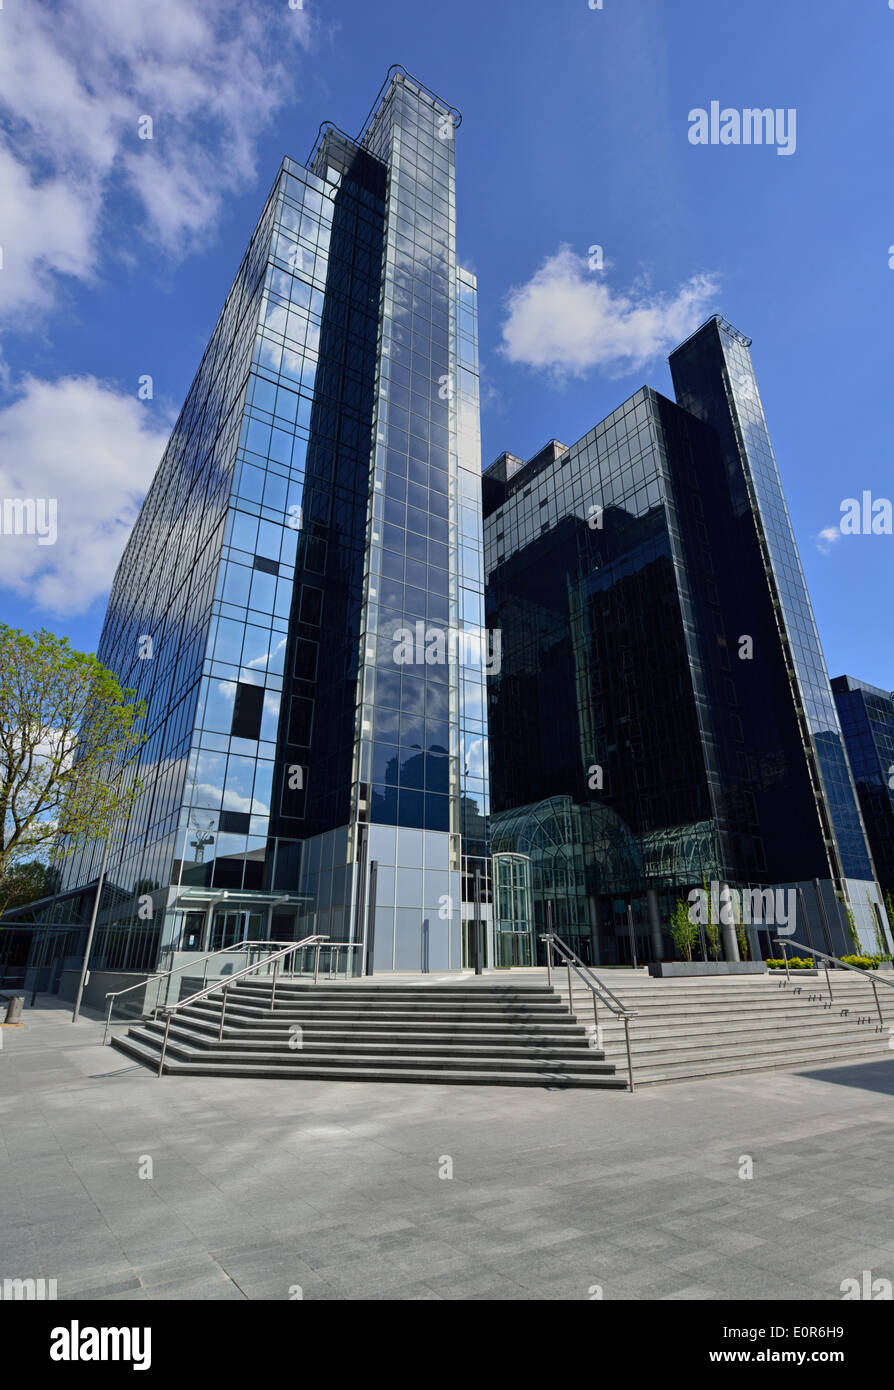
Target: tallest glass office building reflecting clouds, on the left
319, 498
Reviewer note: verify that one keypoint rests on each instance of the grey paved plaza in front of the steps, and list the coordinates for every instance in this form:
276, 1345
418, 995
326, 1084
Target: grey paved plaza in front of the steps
351, 1191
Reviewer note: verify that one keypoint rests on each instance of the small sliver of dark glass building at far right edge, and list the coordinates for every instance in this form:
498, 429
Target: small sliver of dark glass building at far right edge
867, 717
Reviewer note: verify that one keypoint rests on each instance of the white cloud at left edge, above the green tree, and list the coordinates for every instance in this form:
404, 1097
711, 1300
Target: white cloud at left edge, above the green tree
92, 450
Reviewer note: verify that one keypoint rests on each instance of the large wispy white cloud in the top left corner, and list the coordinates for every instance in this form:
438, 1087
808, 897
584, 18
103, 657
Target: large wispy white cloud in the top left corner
74, 83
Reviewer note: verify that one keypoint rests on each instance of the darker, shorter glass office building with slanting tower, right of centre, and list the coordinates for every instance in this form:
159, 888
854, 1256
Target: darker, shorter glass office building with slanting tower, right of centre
663, 719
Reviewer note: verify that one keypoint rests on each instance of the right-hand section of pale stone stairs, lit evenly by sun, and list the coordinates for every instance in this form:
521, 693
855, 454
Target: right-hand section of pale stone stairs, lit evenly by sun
729, 1025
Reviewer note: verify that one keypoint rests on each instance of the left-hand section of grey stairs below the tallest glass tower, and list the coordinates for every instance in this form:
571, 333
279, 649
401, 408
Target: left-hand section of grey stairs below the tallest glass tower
458, 1033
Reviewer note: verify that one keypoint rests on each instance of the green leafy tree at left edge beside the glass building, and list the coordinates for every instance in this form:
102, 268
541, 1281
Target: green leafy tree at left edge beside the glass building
66, 726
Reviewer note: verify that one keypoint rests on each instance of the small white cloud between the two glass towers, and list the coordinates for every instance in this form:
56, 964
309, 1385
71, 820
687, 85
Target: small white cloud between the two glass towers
567, 320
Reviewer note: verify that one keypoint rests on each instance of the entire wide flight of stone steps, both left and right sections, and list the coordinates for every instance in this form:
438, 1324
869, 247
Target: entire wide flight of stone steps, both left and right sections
519, 1035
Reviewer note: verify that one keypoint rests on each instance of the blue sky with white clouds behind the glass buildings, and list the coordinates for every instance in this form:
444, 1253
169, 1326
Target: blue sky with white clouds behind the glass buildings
119, 252
